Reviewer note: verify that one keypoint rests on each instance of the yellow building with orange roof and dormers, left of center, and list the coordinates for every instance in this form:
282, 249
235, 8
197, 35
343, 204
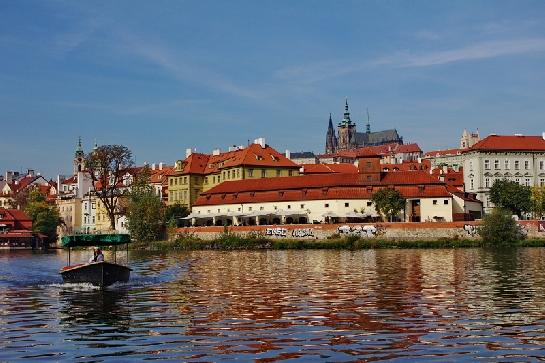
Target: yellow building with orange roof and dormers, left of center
201, 172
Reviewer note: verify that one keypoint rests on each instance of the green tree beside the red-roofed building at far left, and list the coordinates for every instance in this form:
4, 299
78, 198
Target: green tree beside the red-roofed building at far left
45, 217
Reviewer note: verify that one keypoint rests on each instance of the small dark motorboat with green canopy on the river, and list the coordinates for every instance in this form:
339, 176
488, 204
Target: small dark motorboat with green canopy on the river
102, 273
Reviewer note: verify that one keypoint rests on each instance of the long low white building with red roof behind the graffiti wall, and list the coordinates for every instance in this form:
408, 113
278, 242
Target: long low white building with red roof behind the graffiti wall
317, 198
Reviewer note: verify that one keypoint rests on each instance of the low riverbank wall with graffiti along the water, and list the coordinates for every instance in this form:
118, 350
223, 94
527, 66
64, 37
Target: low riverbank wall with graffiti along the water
424, 231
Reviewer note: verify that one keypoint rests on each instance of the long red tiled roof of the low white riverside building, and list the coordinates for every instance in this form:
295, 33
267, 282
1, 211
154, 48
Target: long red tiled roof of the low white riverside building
313, 187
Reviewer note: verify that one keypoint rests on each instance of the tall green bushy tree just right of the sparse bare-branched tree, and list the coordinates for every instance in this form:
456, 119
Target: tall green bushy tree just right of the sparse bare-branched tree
145, 211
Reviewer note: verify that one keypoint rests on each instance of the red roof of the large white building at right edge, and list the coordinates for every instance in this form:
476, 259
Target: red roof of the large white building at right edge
510, 143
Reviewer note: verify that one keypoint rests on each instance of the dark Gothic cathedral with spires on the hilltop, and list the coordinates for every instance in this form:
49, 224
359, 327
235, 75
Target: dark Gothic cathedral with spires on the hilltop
348, 138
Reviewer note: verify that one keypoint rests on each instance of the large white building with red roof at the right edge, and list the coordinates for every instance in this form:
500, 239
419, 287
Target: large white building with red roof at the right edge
513, 157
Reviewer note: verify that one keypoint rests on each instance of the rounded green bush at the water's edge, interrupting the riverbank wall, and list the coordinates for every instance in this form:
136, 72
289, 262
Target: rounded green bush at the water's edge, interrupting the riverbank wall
500, 229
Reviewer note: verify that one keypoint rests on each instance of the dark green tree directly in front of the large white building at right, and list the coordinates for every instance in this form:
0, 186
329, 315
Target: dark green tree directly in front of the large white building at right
511, 195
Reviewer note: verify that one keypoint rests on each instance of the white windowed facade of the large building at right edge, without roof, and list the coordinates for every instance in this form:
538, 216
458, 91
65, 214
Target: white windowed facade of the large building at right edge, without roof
482, 168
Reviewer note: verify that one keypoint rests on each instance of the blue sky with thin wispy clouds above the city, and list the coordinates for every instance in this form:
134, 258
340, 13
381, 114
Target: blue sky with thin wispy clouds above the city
162, 76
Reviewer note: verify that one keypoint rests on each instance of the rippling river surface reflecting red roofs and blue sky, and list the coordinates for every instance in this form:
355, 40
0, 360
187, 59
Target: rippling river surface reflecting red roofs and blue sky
391, 305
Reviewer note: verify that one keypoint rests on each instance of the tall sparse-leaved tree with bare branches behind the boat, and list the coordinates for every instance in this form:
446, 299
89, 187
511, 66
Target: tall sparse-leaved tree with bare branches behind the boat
107, 166
